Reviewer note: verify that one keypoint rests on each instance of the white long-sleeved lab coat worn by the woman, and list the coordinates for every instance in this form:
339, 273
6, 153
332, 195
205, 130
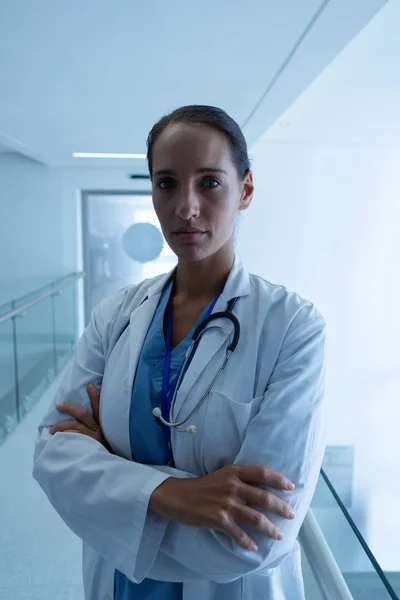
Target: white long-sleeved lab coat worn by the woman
266, 408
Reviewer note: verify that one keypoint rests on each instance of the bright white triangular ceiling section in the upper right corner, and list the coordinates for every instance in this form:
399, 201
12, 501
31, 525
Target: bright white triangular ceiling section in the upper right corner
356, 100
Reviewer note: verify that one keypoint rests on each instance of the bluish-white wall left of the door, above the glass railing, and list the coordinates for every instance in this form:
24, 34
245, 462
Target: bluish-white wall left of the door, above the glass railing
31, 220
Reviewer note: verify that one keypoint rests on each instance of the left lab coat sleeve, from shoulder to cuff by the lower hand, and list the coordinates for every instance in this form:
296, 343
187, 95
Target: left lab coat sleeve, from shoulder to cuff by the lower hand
101, 497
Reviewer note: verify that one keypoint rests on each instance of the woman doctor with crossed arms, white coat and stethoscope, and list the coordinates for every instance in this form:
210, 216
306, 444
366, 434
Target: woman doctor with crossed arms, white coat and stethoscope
188, 481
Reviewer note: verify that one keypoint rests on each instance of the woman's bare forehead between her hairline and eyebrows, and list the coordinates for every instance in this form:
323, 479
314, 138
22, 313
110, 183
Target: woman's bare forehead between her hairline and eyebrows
190, 146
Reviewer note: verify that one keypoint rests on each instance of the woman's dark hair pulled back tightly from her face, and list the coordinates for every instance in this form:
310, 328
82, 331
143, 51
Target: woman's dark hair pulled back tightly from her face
205, 115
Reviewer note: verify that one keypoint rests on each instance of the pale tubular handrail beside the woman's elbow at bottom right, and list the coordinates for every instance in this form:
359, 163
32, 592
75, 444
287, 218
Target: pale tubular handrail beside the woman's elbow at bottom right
321, 560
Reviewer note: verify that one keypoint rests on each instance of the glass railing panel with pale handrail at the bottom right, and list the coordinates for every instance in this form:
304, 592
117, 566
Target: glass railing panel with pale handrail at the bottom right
337, 562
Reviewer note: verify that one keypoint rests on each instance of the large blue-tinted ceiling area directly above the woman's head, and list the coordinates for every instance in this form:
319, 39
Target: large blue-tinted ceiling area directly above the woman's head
94, 76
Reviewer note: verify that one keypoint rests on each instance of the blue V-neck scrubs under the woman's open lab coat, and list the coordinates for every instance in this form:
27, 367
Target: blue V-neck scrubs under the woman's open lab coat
148, 444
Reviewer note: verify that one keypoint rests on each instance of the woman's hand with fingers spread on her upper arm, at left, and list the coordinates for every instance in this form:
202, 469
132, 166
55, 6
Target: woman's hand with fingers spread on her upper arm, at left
83, 421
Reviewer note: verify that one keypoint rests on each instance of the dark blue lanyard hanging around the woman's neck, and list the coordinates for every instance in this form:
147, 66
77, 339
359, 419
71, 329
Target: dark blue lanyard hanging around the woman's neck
168, 391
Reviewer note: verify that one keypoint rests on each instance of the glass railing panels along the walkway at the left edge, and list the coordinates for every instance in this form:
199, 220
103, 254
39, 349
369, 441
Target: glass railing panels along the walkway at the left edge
38, 335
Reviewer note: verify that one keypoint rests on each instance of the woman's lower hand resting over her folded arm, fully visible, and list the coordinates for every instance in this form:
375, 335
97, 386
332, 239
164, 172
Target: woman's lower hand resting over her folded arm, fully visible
217, 501
